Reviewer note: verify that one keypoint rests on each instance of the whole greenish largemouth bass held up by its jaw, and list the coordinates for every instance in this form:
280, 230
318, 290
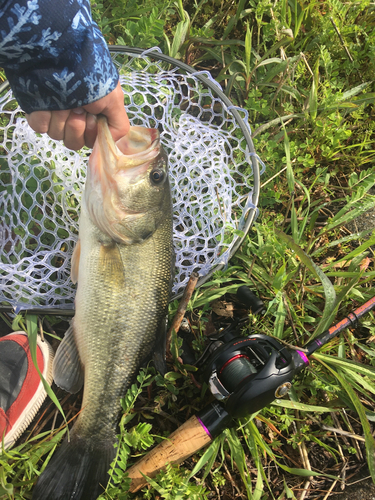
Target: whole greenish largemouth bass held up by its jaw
123, 265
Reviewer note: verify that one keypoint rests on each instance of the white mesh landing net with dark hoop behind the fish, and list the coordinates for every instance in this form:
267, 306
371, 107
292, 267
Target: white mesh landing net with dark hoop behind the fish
213, 170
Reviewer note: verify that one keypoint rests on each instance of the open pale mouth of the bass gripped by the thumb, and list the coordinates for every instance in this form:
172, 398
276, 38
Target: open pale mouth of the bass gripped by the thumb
138, 147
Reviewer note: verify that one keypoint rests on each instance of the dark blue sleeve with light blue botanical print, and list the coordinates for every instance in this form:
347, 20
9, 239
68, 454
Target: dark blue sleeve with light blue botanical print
53, 54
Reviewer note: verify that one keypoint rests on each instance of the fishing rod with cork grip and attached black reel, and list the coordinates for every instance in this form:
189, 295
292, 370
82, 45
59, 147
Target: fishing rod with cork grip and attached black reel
244, 375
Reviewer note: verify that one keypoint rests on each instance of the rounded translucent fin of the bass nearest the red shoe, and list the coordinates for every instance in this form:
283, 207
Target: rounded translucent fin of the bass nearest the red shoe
67, 366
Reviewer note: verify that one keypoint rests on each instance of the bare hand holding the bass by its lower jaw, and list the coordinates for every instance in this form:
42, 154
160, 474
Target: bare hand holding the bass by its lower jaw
78, 127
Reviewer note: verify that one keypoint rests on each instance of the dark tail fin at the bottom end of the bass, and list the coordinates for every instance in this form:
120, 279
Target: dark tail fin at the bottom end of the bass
77, 471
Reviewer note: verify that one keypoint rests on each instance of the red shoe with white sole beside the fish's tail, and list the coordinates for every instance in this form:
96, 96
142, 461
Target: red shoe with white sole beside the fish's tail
21, 390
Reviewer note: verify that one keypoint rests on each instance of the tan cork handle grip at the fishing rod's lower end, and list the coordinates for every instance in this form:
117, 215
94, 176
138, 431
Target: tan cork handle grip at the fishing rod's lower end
180, 445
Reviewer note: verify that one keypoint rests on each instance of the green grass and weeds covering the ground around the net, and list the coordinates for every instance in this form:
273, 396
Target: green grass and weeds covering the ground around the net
304, 70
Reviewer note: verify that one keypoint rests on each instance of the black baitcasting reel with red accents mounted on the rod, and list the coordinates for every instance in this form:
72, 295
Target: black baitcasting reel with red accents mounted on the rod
247, 373
